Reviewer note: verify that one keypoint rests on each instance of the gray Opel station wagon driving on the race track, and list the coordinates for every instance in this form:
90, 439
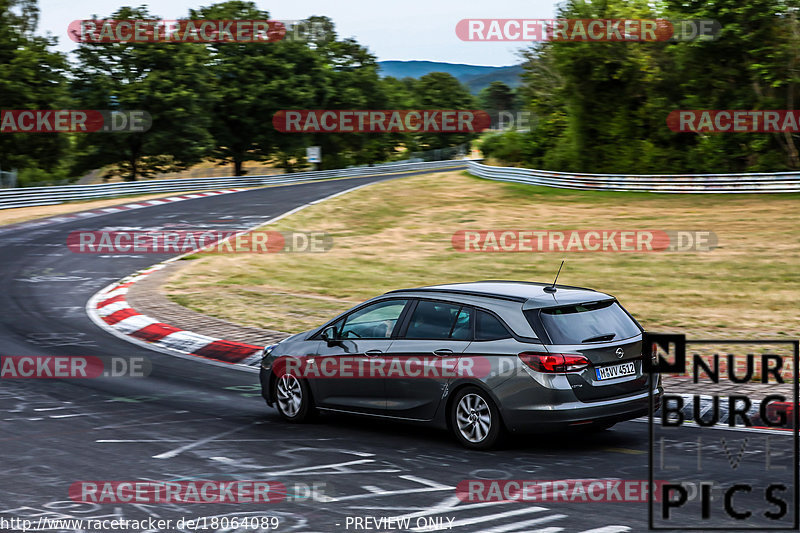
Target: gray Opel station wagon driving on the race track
480, 358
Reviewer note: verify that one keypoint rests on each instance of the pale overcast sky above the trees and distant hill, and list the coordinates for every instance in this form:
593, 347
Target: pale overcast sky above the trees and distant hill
405, 29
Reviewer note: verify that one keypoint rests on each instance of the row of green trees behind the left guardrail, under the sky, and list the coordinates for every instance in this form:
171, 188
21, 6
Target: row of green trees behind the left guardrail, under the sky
211, 101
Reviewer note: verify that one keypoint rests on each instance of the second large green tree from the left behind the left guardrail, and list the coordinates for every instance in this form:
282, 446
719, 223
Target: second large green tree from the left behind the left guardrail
170, 81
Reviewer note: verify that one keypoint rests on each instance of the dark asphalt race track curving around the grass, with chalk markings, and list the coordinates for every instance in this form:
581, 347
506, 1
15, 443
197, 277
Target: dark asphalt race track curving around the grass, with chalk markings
192, 421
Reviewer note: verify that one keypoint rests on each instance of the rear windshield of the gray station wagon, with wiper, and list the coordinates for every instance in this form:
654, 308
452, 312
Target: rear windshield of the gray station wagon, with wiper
584, 323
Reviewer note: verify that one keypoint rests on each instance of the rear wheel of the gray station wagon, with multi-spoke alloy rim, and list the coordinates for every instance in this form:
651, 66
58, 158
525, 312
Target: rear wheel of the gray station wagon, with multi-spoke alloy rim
475, 419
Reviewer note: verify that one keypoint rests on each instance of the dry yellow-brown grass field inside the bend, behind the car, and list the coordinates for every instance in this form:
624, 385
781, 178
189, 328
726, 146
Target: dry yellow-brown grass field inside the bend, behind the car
398, 234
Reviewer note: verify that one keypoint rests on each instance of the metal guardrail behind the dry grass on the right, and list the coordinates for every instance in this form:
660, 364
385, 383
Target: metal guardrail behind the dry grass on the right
661, 183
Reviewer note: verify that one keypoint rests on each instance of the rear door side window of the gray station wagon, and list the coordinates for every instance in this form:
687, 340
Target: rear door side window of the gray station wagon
439, 320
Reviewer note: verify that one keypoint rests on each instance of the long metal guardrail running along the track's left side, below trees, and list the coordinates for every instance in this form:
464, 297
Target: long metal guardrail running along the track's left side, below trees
33, 196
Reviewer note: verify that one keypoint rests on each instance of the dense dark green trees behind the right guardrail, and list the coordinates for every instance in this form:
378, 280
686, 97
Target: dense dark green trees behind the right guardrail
602, 106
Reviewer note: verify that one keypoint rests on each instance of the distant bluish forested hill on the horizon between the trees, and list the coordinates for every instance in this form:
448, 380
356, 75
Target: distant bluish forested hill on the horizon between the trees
475, 77
